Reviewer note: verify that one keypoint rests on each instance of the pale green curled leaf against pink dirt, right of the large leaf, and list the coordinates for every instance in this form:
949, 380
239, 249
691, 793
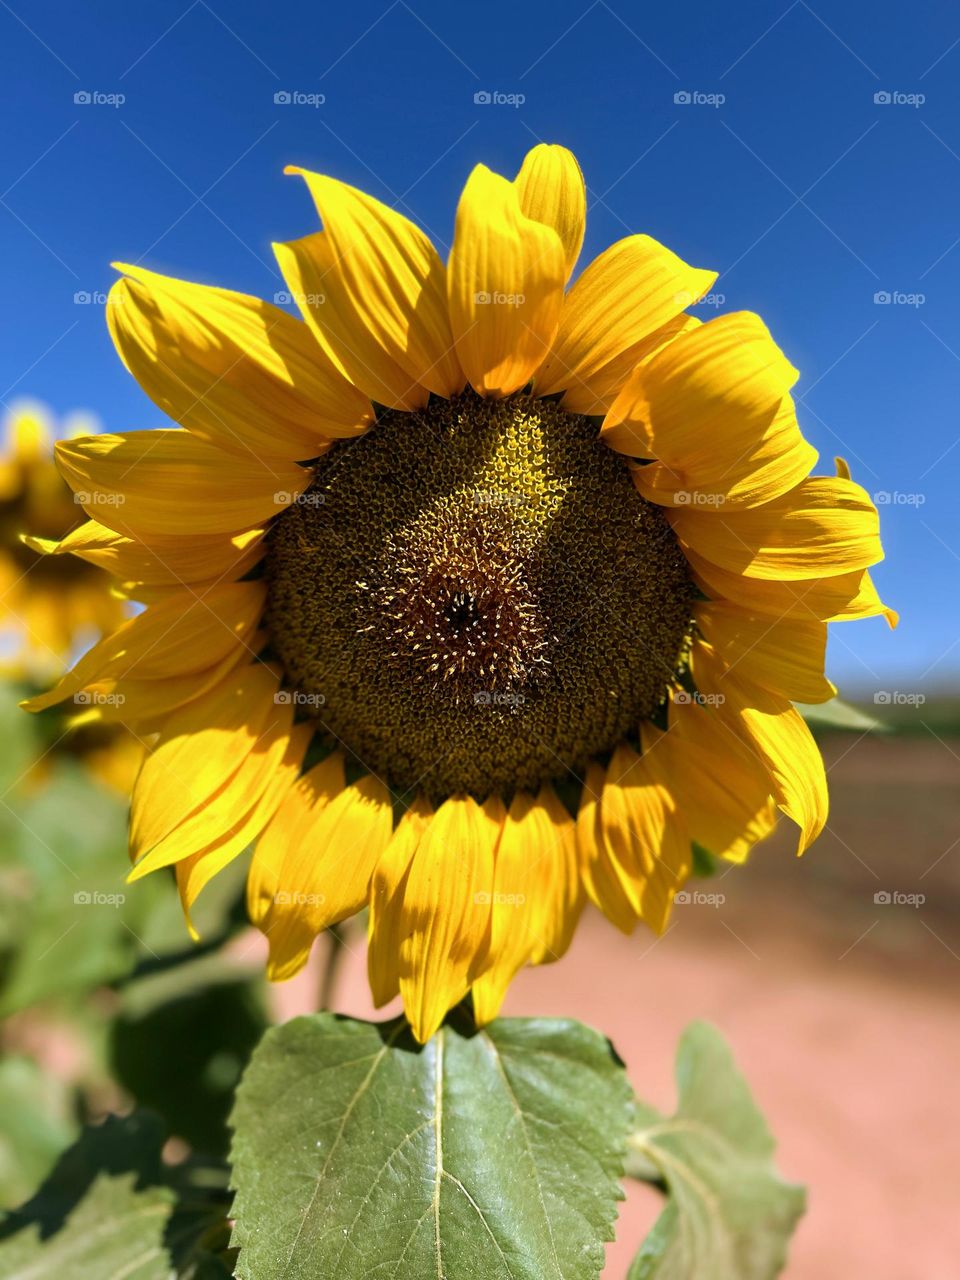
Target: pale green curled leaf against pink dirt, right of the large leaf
729, 1215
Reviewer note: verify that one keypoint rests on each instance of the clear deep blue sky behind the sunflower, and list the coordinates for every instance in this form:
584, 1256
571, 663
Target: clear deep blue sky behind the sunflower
804, 193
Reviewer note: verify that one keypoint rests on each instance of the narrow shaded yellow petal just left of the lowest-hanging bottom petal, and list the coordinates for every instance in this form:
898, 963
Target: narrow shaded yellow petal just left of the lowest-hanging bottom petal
387, 902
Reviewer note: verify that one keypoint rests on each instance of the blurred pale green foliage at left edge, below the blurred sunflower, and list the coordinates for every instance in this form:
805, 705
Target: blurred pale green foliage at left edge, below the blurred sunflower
68, 920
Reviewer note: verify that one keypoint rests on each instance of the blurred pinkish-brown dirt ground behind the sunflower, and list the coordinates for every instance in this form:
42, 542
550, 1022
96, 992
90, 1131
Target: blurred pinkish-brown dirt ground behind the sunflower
840, 1005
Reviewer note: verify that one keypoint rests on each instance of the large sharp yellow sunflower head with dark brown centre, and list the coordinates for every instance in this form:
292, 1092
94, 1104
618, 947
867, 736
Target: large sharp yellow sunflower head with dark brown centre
470, 596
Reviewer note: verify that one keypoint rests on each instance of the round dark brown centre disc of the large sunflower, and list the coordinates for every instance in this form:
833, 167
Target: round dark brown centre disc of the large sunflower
476, 598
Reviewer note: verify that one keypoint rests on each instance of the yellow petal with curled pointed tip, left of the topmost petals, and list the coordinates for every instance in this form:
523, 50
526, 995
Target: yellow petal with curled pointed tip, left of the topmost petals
387, 287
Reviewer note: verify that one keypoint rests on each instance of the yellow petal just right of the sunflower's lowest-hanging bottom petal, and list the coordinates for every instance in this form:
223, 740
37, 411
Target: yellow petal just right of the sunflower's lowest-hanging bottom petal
537, 895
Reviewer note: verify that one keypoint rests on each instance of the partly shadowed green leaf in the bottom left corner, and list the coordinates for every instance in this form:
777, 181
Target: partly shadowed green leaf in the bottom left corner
112, 1210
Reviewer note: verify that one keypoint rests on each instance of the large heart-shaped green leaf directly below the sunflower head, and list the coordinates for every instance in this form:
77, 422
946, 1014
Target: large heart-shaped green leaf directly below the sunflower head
492, 1154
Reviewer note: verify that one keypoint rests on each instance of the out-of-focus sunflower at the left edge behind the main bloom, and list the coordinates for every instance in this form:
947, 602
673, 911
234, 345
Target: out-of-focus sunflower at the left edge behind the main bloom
53, 609
